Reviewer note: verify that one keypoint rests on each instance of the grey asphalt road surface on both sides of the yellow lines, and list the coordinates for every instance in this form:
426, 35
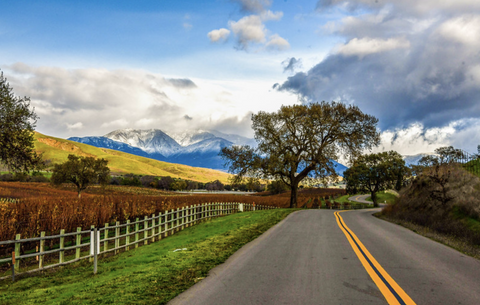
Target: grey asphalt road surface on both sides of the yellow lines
307, 259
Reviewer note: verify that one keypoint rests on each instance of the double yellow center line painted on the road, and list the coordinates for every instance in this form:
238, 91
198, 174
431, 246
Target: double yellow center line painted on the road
393, 293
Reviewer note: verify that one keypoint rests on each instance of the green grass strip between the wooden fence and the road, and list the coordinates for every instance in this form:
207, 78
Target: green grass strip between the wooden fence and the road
152, 274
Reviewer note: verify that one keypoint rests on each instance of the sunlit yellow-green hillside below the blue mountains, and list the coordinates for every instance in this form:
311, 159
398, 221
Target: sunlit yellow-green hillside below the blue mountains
57, 151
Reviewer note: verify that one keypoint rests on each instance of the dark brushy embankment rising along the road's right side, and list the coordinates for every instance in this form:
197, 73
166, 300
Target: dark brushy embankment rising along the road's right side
442, 201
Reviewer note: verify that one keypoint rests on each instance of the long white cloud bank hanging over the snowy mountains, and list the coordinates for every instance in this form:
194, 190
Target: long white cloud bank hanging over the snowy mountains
93, 102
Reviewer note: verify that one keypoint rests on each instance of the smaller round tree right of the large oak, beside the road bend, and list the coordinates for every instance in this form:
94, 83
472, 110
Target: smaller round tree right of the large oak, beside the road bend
376, 172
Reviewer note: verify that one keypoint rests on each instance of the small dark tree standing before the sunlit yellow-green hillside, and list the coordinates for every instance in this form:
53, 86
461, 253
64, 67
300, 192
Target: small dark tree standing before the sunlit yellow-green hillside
81, 171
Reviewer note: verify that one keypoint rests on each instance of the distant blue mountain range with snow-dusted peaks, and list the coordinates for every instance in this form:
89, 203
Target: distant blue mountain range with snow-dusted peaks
199, 148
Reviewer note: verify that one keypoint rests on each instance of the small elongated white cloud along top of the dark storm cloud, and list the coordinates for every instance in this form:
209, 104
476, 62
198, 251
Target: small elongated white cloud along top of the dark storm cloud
365, 46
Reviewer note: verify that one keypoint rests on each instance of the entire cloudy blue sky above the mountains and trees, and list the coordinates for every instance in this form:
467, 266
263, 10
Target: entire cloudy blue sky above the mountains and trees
91, 67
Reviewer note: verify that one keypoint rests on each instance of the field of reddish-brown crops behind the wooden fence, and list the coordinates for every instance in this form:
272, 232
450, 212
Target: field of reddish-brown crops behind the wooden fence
35, 207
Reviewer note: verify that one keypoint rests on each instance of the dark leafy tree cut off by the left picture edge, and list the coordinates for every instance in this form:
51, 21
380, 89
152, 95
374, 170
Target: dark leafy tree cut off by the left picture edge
17, 123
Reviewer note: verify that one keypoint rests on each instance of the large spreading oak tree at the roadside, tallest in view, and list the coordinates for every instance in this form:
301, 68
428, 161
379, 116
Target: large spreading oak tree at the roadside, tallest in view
302, 140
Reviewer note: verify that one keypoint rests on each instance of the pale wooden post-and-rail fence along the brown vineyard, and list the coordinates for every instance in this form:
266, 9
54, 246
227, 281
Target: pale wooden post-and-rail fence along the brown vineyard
112, 238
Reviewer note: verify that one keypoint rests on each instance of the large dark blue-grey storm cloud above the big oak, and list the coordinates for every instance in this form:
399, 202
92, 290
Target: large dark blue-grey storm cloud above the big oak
402, 68
